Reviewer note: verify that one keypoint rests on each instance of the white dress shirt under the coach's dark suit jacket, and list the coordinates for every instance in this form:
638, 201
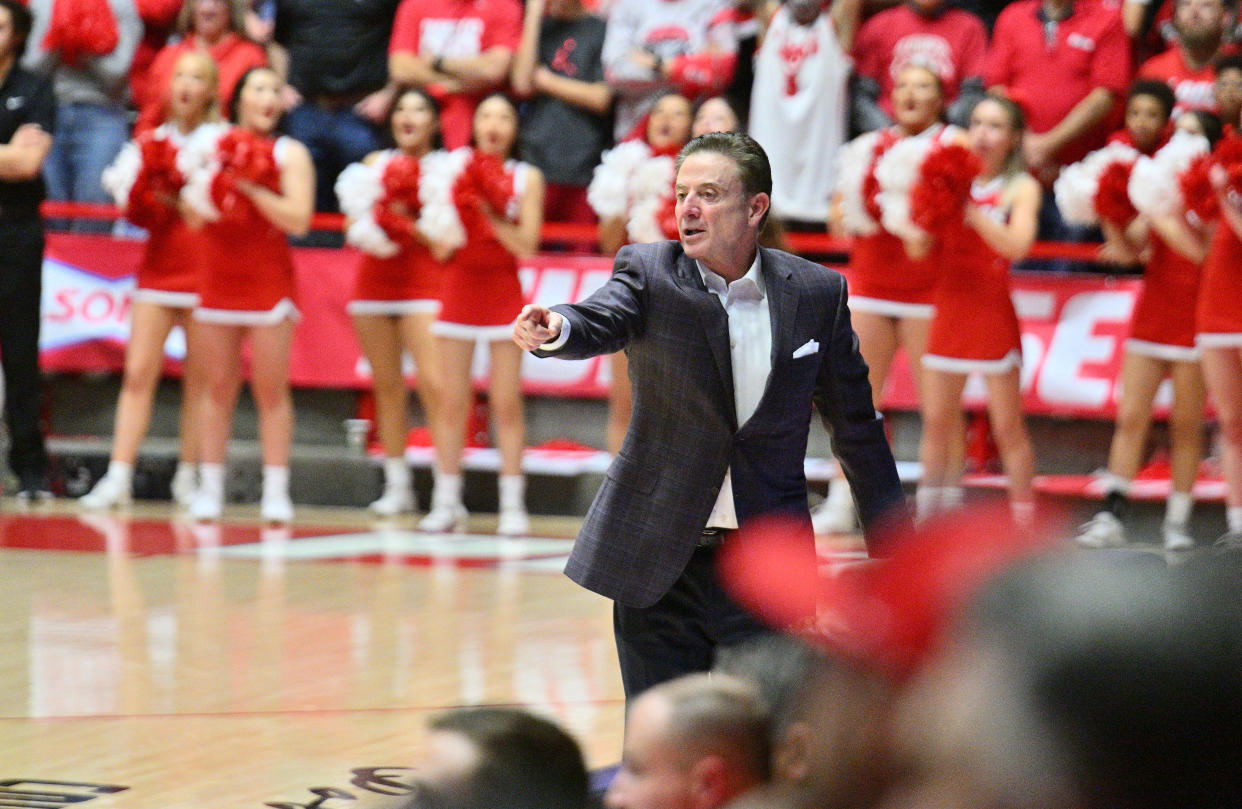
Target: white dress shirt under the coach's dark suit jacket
751, 347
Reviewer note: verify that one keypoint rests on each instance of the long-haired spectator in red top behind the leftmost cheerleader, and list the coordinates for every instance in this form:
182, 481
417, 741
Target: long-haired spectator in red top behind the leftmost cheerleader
215, 27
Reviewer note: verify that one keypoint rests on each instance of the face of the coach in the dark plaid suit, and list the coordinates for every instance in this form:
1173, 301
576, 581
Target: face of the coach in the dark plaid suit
717, 222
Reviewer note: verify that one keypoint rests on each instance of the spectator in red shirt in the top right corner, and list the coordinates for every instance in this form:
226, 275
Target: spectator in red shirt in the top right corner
1188, 66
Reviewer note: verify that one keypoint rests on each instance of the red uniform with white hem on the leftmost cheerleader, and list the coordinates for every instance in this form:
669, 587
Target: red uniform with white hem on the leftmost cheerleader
168, 274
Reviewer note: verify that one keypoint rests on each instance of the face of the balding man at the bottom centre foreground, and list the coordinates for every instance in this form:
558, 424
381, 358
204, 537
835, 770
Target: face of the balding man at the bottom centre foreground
654, 774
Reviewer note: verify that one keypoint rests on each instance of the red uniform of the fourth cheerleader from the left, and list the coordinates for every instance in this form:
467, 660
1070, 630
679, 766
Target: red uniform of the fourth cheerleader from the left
483, 296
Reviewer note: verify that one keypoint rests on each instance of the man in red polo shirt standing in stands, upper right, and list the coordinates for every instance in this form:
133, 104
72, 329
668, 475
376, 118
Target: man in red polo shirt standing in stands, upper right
1067, 65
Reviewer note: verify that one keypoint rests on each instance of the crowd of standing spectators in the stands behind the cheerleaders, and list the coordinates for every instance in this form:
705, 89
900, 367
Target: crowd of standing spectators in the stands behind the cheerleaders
587, 75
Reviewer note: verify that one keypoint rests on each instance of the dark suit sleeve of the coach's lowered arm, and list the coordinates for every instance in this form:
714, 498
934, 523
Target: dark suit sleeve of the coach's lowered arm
843, 396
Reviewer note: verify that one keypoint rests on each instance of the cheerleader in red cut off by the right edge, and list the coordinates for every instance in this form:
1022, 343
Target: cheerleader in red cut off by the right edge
1219, 324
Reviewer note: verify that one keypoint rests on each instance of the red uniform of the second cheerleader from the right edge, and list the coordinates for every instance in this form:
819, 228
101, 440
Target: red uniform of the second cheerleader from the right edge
1163, 325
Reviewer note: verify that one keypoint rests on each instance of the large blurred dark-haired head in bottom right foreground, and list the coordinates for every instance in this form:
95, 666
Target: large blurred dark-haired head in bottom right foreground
1081, 682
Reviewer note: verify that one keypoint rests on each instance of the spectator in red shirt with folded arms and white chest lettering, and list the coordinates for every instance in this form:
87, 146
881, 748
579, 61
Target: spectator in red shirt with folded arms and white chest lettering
458, 50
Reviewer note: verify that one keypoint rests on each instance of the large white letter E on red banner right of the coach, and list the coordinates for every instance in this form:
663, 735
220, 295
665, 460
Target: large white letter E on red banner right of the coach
1065, 377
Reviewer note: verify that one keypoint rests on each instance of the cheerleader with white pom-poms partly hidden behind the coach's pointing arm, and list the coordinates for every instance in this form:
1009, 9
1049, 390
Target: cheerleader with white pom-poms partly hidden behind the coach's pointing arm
633, 194
